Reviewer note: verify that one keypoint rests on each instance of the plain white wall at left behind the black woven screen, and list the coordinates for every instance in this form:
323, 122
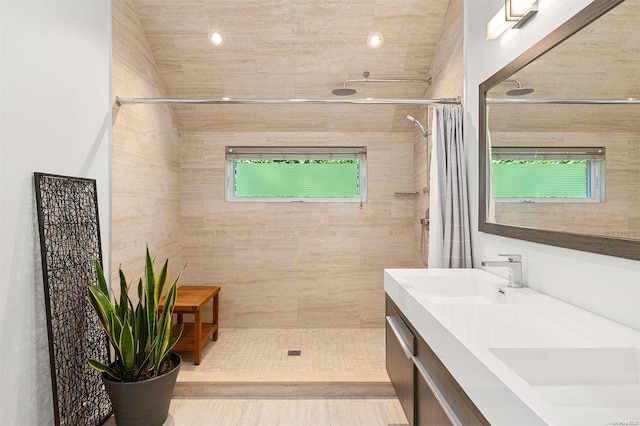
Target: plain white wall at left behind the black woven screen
55, 117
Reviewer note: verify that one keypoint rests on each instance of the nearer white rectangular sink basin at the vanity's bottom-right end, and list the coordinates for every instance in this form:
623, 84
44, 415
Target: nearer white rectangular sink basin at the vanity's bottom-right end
588, 385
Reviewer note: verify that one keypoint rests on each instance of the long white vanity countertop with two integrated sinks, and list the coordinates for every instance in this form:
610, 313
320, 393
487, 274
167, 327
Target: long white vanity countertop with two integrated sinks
521, 356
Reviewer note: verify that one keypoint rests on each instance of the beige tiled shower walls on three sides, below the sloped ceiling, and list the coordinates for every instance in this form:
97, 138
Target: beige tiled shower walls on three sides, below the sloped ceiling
284, 265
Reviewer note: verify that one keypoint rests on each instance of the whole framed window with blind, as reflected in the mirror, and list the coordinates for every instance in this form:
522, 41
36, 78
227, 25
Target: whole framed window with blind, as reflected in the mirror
530, 174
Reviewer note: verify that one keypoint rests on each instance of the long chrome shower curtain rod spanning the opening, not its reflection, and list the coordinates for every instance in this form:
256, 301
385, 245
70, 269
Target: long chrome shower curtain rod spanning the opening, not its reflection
127, 101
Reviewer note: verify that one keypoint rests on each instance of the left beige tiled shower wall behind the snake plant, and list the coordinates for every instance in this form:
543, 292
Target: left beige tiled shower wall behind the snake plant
145, 156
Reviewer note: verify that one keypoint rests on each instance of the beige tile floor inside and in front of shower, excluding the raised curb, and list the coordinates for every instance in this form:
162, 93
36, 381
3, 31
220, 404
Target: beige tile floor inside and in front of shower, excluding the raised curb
337, 351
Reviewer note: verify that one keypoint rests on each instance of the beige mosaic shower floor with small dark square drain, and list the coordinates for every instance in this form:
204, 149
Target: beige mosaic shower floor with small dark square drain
266, 350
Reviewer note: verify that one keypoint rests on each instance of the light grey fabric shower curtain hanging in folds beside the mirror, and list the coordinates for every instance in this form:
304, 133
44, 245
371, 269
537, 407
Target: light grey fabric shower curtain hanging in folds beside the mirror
449, 230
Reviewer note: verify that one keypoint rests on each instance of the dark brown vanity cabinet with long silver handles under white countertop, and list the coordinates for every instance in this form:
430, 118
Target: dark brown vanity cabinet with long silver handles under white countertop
436, 398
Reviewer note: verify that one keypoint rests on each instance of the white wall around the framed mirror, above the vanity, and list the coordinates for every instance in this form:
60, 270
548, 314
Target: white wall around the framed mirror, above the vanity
604, 285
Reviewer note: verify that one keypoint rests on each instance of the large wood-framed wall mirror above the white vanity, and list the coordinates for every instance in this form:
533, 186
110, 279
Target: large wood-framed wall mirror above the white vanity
560, 137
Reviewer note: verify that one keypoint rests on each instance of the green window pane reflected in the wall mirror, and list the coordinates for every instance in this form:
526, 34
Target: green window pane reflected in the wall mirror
540, 180
